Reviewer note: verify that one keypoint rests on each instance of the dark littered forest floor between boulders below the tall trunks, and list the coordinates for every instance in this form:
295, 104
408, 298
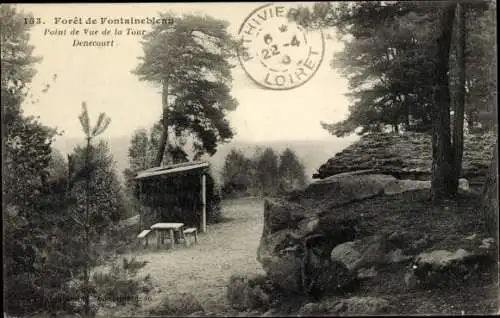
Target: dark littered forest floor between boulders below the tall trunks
448, 225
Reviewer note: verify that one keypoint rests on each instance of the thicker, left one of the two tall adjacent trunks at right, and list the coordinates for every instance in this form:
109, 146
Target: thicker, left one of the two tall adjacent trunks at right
442, 172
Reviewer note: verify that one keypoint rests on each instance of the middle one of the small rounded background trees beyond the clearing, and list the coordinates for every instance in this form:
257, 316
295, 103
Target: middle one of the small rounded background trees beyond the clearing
267, 171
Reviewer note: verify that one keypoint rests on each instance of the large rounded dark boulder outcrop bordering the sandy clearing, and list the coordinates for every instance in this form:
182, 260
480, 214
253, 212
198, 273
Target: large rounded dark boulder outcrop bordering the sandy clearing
300, 231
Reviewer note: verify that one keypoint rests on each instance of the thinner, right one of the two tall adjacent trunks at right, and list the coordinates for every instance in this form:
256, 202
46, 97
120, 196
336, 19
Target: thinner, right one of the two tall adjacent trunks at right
458, 125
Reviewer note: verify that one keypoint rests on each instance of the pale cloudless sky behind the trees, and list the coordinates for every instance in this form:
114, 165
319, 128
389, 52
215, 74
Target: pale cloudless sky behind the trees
102, 78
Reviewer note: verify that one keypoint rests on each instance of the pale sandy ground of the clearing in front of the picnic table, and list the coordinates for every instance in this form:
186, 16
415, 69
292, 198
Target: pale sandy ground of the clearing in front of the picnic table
203, 269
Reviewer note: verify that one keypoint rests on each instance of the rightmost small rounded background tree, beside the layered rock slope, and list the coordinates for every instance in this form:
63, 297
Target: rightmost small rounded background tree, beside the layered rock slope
290, 171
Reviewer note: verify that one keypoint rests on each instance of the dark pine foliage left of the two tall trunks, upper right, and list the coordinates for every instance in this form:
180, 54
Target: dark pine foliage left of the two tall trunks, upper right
385, 59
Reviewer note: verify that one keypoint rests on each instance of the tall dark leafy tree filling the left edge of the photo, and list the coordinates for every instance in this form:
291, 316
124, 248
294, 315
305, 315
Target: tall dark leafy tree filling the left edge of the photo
31, 204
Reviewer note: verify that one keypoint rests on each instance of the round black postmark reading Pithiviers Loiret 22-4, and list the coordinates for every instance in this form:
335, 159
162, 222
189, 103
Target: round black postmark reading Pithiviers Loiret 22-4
278, 53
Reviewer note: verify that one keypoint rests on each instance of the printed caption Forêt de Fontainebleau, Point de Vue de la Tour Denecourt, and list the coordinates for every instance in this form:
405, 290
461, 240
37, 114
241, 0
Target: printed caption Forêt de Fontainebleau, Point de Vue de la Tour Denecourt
97, 31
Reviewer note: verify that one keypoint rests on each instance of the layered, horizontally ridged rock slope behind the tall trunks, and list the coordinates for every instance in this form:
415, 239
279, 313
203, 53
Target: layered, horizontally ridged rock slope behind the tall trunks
407, 156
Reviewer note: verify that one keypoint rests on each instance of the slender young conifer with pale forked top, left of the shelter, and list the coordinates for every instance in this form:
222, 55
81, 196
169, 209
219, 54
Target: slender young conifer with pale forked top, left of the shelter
93, 210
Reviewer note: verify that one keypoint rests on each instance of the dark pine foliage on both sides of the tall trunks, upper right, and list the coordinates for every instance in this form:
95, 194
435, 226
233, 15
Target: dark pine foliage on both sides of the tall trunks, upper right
388, 59
